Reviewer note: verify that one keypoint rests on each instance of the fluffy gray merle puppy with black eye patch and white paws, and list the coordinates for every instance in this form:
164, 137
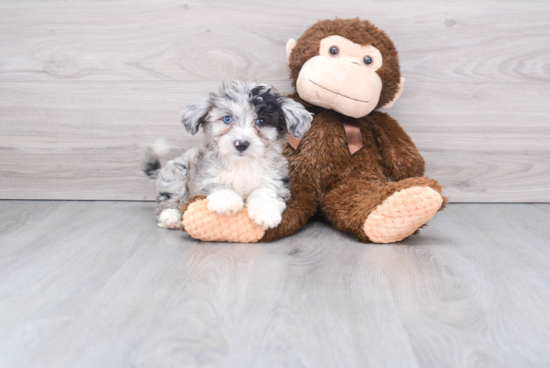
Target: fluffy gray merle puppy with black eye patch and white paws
241, 160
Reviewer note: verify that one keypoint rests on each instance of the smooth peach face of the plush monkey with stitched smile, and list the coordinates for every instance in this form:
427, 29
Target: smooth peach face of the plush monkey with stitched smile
342, 77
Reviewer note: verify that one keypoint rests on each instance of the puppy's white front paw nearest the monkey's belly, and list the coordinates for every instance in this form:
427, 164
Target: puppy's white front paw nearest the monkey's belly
265, 207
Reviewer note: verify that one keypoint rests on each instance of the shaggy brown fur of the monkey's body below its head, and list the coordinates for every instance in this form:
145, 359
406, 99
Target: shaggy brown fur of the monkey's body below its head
348, 188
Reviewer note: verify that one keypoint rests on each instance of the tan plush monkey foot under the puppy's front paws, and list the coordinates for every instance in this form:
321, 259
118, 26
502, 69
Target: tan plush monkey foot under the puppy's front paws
209, 226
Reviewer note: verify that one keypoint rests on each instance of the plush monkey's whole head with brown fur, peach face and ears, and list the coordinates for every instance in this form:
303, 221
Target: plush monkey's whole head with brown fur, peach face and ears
346, 65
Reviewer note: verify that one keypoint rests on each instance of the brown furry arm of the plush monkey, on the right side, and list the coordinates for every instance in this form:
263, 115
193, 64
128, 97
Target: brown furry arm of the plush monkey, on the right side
400, 156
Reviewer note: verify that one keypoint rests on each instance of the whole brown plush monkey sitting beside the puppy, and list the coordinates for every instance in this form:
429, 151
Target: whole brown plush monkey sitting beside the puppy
356, 165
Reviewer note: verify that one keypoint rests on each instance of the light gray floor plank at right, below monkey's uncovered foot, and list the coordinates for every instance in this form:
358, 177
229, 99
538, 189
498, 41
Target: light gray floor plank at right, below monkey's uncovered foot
484, 256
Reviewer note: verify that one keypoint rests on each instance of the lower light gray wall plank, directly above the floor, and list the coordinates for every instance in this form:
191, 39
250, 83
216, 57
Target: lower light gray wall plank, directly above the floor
84, 140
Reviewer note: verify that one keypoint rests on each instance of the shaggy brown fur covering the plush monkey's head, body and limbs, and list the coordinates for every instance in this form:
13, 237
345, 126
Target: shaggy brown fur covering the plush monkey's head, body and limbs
323, 175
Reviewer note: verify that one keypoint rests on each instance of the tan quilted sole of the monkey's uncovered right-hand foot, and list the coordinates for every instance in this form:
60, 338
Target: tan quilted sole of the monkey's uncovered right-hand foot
401, 214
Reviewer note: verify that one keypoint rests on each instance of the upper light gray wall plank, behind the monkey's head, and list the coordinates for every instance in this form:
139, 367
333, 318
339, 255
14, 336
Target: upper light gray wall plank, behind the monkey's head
196, 40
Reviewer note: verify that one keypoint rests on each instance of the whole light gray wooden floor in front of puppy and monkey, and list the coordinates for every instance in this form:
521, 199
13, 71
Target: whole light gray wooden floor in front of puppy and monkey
98, 284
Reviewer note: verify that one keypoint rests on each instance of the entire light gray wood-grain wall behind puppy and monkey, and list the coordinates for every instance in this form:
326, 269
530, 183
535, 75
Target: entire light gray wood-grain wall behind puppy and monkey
85, 86
